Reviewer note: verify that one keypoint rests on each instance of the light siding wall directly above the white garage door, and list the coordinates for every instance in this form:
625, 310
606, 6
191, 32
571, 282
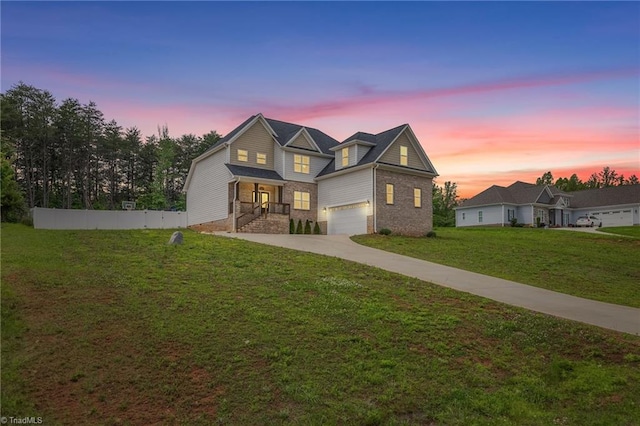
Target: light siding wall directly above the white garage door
345, 189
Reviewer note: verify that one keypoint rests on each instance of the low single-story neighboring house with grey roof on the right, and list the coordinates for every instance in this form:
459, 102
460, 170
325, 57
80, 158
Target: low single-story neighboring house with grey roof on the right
497, 205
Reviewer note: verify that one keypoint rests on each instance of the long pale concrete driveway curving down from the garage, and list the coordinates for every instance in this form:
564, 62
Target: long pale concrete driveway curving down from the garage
606, 315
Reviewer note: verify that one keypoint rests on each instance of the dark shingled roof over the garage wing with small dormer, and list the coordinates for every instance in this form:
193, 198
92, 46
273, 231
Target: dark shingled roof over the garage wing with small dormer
379, 144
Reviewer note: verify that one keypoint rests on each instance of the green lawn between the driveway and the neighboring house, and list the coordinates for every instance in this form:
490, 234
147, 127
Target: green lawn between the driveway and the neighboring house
599, 267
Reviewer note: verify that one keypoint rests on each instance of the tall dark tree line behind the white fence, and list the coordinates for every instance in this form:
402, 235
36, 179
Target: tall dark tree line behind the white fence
68, 155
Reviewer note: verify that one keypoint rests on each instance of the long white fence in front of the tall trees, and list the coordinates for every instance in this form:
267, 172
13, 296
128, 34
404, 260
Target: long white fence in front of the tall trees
107, 219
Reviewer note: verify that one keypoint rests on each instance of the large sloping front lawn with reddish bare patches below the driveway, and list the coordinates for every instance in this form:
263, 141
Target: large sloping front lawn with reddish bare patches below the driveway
117, 327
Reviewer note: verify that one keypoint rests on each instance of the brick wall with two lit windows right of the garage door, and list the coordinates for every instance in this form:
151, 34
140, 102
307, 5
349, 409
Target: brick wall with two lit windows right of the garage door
402, 217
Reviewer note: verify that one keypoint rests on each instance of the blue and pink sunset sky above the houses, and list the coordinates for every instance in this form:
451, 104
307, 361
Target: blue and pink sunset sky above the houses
495, 92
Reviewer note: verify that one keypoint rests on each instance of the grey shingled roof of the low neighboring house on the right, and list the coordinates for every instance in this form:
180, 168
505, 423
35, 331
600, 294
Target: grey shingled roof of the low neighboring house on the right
527, 193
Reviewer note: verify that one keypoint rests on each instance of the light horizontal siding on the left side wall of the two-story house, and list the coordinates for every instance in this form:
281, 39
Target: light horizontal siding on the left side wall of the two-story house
207, 195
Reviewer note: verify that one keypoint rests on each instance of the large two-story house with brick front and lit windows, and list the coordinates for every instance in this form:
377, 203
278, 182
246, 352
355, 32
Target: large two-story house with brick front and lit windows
266, 172
